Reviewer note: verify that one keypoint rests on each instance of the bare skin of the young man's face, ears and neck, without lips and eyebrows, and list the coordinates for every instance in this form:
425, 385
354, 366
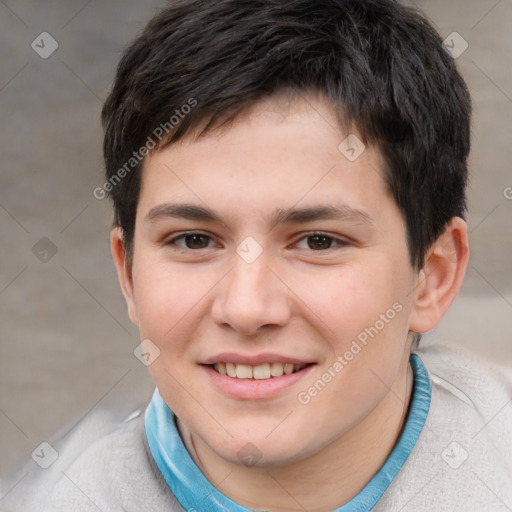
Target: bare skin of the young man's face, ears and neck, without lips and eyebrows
295, 299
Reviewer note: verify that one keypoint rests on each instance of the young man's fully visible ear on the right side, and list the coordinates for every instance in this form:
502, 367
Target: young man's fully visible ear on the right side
441, 276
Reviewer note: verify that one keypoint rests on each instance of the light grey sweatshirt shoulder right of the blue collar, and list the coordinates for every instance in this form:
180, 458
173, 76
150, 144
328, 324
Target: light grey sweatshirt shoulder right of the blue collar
463, 457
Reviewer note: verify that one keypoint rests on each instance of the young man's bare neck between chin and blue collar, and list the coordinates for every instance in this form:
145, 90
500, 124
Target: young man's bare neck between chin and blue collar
324, 481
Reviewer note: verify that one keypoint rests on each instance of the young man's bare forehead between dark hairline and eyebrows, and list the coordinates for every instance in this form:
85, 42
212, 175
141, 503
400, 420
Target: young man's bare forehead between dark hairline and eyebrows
282, 152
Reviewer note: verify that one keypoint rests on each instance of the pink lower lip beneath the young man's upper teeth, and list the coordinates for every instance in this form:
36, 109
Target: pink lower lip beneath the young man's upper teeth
255, 389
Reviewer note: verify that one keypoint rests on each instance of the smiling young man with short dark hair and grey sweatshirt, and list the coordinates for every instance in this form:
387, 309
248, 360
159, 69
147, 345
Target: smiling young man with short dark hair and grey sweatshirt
288, 182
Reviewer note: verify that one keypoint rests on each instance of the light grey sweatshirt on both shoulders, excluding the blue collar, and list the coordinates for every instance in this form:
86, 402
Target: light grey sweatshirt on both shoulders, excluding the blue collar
461, 461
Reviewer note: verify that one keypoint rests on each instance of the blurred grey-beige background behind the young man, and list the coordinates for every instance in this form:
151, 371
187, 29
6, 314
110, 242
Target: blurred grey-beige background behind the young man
67, 345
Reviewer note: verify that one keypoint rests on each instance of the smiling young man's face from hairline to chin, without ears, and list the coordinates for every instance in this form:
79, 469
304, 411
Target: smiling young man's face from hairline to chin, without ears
265, 249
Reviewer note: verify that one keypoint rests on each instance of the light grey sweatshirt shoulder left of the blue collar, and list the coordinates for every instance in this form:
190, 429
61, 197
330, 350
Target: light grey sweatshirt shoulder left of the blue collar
109, 472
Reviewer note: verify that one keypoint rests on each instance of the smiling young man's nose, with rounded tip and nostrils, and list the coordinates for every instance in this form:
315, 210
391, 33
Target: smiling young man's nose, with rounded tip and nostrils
251, 296
